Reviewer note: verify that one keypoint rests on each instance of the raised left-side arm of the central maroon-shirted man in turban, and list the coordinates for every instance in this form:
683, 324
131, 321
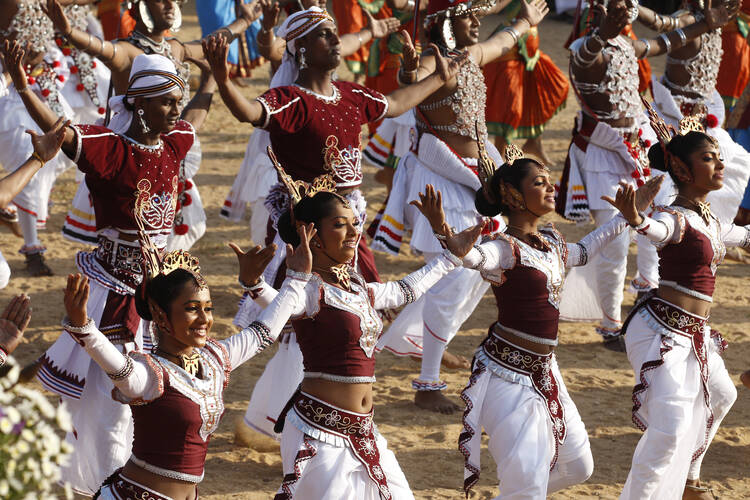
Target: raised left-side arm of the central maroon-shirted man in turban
245, 111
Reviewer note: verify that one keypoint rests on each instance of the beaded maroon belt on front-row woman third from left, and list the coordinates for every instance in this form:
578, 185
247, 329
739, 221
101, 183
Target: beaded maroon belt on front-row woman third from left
538, 367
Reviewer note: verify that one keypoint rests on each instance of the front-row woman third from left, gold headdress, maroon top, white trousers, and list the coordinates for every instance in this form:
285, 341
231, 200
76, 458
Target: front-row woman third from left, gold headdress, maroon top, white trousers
516, 392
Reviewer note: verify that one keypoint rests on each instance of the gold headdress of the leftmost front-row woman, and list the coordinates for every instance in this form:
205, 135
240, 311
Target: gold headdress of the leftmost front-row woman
155, 261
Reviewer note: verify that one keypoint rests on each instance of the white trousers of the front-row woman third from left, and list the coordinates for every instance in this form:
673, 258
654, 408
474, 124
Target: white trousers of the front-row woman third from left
515, 418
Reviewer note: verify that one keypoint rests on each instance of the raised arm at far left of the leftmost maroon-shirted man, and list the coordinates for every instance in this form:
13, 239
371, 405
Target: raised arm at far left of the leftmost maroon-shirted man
44, 117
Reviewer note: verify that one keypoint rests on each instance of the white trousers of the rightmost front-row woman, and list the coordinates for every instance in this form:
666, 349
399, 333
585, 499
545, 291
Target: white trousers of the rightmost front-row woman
674, 409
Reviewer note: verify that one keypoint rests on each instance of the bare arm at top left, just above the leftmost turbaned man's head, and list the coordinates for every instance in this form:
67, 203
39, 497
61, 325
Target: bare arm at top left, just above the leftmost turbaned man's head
115, 56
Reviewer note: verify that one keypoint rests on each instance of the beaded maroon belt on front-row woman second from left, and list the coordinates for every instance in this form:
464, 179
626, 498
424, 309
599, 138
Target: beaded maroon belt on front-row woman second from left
356, 428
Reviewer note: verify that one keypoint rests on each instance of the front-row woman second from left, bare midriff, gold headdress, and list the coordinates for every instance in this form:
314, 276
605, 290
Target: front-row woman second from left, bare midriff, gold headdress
330, 447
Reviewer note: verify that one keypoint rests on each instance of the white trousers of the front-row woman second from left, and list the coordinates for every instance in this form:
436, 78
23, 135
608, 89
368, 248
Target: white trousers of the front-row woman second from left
334, 473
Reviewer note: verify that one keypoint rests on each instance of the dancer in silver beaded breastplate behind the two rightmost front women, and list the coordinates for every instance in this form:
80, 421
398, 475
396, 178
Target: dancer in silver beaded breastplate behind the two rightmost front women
609, 143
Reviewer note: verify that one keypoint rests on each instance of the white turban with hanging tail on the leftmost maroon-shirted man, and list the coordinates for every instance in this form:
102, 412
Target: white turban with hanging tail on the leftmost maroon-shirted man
151, 75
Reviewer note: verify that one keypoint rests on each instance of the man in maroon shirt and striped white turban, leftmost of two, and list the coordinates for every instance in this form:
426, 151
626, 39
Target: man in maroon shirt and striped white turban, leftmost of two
138, 156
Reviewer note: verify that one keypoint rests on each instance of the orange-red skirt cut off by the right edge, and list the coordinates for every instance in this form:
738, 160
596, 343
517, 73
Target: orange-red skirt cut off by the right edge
734, 72
